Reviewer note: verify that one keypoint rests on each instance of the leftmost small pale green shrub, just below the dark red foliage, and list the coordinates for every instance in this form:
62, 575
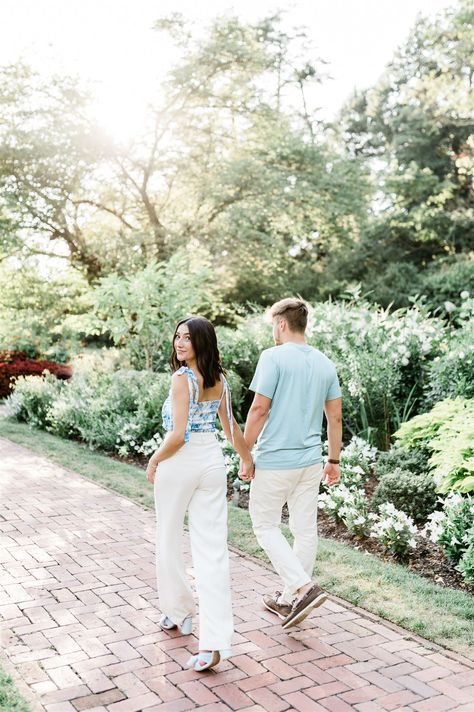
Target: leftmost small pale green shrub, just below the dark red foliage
32, 397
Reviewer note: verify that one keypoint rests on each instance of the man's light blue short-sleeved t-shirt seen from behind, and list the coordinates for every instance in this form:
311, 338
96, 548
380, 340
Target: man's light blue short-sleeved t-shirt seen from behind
299, 379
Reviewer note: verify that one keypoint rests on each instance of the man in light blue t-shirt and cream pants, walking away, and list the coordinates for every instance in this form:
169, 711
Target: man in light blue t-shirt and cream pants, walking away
293, 384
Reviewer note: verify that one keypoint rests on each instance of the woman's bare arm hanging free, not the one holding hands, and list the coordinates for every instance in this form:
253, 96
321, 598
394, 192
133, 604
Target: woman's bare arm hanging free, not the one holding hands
175, 438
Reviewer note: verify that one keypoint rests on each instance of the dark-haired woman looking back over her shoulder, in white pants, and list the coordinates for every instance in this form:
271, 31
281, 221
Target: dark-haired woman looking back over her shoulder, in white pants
189, 475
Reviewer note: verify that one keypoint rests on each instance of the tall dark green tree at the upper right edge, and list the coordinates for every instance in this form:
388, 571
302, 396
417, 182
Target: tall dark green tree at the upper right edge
416, 128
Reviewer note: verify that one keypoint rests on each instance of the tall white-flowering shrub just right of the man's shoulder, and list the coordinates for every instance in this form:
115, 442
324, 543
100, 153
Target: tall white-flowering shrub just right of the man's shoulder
382, 360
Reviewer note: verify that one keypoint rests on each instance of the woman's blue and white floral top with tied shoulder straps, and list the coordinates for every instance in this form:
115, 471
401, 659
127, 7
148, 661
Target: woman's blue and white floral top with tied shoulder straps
202, 414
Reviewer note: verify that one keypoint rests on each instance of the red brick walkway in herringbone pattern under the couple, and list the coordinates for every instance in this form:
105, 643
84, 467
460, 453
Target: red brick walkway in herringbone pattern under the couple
79, 621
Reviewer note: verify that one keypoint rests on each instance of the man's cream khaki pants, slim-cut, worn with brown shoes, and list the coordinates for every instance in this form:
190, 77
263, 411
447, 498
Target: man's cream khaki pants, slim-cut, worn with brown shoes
269, 491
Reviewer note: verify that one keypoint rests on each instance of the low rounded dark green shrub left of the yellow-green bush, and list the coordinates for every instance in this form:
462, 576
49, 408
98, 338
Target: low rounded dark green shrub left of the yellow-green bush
411, 493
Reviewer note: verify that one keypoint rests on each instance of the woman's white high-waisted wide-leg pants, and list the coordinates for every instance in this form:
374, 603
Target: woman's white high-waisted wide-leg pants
194, 480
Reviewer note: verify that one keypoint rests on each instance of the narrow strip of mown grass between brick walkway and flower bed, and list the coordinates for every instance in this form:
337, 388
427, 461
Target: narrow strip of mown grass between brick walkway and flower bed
445, 616
